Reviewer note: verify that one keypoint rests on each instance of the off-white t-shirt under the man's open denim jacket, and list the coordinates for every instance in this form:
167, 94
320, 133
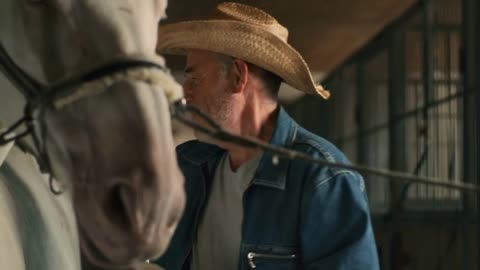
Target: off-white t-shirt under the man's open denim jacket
220, 229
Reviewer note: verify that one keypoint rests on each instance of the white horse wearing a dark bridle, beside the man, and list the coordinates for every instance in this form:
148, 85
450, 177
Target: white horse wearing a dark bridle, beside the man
105, 137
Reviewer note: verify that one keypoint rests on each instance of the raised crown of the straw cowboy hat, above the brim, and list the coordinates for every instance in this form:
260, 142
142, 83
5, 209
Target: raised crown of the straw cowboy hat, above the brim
251, 15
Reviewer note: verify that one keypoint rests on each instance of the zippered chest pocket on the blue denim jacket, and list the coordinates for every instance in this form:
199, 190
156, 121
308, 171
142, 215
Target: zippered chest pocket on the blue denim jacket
272, 258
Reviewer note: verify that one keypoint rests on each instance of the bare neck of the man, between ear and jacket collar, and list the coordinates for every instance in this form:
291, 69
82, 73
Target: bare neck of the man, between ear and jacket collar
257, 121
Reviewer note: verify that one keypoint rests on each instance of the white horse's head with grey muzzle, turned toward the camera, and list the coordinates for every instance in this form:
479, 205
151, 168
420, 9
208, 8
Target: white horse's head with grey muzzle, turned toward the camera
109, 139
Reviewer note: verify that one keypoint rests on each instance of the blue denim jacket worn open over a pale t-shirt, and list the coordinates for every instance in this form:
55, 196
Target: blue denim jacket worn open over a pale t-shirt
297, 215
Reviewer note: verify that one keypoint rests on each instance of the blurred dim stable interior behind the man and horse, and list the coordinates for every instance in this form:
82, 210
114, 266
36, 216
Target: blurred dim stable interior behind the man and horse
404, 77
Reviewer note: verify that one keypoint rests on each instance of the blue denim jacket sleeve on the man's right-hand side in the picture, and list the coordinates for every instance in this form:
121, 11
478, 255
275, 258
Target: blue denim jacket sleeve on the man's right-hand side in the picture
336, 227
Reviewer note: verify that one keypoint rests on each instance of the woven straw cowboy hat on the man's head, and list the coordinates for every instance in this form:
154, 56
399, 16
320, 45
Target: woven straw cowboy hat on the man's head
246, 33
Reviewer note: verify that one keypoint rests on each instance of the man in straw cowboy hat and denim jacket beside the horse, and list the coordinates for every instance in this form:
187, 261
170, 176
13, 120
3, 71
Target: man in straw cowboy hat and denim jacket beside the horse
247, 209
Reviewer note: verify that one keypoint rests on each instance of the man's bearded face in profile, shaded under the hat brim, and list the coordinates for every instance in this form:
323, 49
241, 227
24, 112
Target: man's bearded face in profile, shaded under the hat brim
206, 87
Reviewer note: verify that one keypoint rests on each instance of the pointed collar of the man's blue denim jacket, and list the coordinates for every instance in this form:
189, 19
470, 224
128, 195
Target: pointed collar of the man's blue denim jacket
271, 170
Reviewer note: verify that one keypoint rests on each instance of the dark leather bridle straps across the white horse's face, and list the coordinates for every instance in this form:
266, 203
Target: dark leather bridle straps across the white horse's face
39, 97
